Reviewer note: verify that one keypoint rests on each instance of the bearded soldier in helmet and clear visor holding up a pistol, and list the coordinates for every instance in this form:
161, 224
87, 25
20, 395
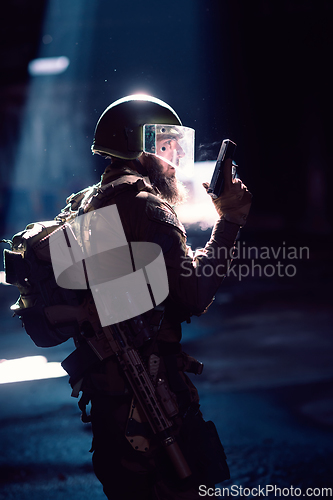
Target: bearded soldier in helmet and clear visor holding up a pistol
145, 140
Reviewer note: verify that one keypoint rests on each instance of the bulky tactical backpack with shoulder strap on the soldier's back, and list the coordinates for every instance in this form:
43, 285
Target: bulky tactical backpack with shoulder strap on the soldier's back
43, 305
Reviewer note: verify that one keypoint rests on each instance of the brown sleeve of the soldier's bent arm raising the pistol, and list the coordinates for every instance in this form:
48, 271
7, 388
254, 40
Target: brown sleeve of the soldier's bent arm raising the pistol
193, 277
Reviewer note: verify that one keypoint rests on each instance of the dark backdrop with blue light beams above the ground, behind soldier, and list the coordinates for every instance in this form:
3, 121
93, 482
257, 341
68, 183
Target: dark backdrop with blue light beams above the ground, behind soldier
257, 72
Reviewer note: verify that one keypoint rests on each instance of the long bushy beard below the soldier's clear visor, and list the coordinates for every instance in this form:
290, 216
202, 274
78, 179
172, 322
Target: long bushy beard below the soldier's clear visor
172, 190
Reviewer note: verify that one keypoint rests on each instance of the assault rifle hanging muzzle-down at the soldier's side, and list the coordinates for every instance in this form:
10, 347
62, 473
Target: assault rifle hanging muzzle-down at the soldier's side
123, 340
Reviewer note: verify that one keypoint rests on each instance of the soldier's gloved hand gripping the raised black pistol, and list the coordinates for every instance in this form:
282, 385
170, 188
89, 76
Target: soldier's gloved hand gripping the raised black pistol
235, 201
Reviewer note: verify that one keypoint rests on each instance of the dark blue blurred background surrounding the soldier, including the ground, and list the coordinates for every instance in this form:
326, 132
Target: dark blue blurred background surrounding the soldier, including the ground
257, 72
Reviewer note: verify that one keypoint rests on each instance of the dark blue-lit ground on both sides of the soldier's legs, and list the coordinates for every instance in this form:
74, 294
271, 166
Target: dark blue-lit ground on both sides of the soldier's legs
267, 347
